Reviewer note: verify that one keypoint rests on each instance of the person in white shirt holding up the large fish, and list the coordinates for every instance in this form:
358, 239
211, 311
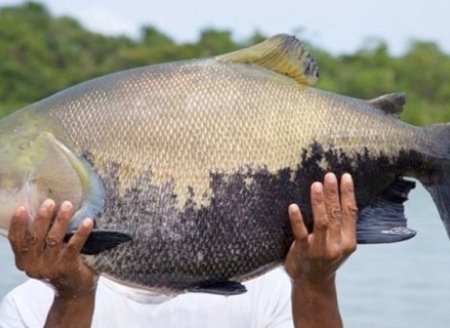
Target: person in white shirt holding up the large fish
311, 264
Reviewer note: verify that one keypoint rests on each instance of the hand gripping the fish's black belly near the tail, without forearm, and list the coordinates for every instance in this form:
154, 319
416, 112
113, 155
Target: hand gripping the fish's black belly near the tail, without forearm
315, 257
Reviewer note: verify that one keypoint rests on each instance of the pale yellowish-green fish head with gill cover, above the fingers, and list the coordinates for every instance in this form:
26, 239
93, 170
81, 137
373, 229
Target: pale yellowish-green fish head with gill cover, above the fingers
35, 166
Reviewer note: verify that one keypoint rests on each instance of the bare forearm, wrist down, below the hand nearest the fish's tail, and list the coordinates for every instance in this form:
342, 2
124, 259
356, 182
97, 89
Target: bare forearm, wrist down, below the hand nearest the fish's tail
315, 305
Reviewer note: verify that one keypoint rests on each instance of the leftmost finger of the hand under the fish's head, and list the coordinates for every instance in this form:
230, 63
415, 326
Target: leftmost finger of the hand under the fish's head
16, 236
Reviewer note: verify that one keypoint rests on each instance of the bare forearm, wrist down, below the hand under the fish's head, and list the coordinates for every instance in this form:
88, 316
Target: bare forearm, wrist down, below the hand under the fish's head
74, 312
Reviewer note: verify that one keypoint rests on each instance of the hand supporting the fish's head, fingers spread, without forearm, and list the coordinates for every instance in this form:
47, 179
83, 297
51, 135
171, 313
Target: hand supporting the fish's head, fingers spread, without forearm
41, 252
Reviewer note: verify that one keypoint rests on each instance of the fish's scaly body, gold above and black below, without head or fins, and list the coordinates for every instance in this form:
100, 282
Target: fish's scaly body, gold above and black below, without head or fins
200, 159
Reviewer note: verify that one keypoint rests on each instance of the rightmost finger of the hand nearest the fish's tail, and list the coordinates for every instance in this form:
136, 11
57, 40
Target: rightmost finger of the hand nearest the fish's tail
349, 212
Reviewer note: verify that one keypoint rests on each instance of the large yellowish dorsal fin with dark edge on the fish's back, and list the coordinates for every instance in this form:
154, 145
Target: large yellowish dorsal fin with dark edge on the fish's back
281, 53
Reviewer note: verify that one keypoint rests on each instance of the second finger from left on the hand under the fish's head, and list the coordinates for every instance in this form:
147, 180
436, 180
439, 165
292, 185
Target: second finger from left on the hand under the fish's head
39, 228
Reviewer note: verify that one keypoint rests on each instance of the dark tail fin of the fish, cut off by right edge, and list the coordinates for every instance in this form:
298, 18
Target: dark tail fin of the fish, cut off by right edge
438, 184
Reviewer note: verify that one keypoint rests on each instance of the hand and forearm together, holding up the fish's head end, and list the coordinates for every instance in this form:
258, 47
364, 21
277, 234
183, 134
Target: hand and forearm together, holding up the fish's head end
42, 254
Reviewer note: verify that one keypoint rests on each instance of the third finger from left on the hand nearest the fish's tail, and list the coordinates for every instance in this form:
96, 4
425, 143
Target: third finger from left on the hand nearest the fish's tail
333, 207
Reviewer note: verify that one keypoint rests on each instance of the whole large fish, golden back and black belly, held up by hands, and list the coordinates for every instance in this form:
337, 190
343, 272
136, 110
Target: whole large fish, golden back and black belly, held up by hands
197, 161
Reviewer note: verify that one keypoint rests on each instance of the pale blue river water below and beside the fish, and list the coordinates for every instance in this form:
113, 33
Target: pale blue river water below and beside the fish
398, 285
